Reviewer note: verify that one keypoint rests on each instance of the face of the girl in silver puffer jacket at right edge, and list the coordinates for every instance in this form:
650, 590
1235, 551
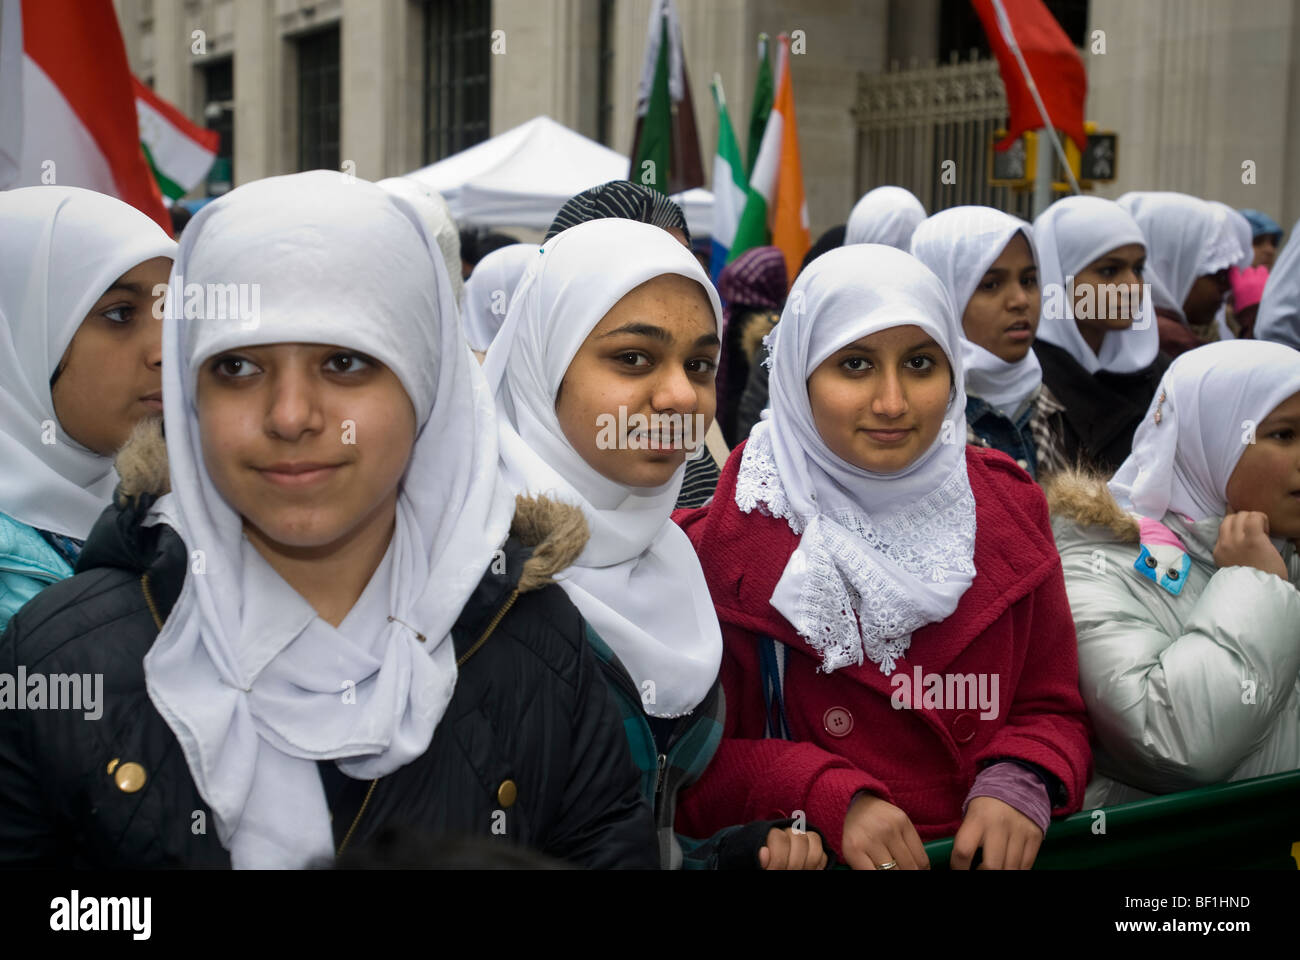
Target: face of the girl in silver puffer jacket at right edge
1268, 477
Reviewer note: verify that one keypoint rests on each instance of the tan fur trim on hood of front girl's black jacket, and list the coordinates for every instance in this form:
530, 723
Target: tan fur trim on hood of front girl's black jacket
556, 531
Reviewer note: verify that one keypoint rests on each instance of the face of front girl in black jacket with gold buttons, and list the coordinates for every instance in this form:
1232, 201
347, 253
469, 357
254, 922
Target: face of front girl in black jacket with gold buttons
309, 443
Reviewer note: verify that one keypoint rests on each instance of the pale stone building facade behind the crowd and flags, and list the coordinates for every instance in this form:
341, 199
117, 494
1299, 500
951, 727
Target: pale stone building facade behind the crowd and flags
1195, 89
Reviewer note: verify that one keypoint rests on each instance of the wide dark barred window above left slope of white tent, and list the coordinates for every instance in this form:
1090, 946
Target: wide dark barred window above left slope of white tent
457, 76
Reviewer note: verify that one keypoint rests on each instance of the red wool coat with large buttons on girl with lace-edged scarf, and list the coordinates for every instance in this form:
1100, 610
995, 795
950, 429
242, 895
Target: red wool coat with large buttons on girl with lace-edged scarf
1013, 621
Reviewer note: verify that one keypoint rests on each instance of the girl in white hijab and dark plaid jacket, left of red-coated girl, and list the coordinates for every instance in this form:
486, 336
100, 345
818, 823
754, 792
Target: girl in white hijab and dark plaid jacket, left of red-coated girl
604, 374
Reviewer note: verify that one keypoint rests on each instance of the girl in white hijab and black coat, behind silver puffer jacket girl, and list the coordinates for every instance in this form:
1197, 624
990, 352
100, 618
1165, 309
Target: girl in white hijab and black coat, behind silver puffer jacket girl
1098, 344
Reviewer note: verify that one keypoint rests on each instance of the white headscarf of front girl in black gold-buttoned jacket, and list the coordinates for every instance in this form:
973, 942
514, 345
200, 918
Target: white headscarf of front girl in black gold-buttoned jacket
249, 678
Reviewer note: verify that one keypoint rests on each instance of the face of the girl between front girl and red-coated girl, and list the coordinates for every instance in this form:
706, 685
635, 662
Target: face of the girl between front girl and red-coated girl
655, 353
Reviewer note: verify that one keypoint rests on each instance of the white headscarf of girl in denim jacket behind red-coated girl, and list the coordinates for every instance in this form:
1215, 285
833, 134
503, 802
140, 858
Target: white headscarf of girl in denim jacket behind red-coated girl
960, 245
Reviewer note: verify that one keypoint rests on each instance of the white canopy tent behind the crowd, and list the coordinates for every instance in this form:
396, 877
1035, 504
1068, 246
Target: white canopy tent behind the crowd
525, 176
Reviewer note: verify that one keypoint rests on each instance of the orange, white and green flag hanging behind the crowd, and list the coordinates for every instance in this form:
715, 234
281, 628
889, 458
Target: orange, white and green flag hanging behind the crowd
775, 205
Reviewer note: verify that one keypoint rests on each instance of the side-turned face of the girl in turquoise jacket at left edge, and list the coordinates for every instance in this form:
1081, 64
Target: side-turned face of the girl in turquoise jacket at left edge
111, 375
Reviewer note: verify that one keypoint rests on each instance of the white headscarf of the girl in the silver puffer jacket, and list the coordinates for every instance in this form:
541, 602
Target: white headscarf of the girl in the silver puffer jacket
1210, 403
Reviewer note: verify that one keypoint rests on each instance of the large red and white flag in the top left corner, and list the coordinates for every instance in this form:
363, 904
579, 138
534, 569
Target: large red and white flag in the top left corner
67, 106
